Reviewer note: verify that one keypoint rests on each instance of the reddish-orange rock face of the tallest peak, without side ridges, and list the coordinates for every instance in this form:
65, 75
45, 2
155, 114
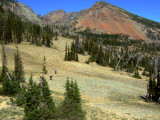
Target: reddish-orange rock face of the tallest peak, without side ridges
105, 17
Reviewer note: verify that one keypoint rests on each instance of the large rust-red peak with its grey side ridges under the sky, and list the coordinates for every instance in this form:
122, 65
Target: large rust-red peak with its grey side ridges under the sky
104, 17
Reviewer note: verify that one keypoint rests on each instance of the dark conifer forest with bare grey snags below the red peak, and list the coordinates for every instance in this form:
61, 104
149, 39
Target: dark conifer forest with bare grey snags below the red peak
121, 52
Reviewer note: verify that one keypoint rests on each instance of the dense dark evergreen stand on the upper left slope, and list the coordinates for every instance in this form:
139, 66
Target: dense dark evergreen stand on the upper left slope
14, 30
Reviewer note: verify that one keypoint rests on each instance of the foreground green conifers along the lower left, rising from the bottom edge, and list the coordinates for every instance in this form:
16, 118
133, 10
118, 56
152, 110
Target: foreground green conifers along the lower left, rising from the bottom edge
36, 99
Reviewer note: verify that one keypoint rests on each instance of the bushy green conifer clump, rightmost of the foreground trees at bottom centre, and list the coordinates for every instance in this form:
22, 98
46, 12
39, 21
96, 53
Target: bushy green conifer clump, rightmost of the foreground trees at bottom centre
71, 108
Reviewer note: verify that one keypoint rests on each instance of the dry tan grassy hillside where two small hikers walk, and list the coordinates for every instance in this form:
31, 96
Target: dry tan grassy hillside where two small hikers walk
106, 94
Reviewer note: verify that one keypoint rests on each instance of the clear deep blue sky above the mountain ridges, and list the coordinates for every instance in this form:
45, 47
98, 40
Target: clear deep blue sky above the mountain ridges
146, 8
